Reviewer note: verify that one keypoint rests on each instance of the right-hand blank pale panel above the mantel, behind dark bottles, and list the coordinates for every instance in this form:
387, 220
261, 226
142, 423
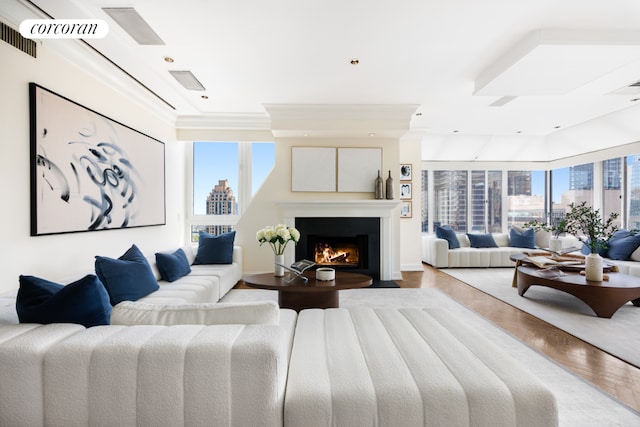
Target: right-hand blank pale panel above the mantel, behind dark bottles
358, 169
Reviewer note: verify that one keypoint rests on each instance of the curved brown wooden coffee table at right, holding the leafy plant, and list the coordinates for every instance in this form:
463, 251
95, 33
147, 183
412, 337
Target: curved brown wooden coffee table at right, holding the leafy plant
604, 298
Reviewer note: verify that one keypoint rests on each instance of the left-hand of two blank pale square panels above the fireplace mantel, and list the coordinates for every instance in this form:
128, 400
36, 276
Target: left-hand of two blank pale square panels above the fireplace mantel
313, 169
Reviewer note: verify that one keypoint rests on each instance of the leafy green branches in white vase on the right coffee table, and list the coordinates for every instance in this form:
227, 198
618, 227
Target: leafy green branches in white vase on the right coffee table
588, 226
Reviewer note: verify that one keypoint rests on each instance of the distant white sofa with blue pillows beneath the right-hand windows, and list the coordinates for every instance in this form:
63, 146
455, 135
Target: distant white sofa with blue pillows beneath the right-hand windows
436, 252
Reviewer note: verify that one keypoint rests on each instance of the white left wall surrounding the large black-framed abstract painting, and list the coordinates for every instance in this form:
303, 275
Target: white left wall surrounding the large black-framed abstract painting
59, 256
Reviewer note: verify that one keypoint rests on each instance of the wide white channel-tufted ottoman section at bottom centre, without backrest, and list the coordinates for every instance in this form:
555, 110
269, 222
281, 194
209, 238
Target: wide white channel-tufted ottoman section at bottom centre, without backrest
406, 367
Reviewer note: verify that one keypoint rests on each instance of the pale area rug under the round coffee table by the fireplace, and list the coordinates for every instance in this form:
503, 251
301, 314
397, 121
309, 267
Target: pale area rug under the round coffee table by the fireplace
579, 403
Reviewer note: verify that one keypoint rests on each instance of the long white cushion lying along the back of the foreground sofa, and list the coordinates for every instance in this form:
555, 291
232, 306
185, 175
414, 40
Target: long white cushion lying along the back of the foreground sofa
251, 313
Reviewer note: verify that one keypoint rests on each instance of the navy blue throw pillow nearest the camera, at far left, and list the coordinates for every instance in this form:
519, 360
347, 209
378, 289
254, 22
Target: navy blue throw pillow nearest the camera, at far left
84, 302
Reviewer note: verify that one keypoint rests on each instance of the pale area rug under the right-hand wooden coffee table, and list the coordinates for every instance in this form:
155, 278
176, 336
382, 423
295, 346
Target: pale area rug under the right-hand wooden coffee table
619, 336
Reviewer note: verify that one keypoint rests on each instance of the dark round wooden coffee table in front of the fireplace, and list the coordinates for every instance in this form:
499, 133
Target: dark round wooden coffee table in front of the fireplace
299, 294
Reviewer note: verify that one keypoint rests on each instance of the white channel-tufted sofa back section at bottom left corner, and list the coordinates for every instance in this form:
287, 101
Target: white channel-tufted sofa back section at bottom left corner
149, 375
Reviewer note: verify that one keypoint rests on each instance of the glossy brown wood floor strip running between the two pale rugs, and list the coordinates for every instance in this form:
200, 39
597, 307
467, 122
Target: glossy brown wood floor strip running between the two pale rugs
607, 372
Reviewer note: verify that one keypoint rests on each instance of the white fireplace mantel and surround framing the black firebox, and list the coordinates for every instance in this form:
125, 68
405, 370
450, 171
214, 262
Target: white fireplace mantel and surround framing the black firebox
382, 209
